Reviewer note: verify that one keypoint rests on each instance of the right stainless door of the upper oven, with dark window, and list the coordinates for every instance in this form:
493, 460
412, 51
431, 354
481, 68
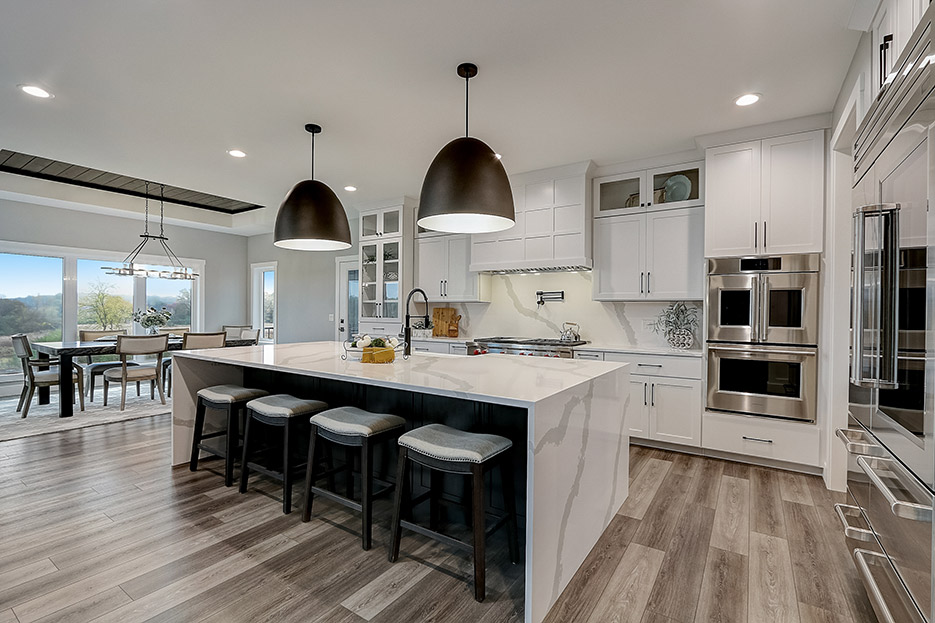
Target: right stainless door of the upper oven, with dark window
789, 303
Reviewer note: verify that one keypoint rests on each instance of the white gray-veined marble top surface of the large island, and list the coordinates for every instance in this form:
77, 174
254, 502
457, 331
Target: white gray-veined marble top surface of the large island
500, 379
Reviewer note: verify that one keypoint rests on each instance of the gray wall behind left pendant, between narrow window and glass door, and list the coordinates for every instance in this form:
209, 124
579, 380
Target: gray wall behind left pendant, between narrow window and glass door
306, 287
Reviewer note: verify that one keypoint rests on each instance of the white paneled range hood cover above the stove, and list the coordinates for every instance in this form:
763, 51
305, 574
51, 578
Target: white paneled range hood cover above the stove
553, 224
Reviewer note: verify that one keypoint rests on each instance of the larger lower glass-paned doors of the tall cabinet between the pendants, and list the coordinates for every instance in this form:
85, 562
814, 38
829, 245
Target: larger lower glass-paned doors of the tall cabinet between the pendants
380, 270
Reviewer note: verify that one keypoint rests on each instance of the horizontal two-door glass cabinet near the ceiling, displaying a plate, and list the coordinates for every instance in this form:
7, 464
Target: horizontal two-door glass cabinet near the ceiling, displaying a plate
676, 186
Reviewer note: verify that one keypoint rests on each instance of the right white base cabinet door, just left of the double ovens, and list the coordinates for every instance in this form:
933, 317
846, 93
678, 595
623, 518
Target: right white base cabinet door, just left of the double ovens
675, 411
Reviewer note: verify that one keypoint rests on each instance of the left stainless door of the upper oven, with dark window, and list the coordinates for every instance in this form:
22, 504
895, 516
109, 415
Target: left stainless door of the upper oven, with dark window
732, 308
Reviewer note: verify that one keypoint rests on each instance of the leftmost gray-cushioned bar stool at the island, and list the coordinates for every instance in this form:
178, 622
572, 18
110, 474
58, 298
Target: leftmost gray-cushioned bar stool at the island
229, 398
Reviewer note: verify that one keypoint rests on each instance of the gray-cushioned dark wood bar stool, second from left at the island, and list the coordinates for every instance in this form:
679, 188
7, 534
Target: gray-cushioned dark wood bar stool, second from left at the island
281, 411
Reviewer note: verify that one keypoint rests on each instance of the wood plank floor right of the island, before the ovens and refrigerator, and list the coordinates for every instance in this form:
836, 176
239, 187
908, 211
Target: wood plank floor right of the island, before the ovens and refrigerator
701, 540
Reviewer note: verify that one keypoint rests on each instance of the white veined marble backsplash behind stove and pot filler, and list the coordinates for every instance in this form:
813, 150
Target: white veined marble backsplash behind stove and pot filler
512, 311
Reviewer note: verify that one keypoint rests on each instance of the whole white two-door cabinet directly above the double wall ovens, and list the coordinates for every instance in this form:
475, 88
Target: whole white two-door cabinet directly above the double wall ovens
765, 197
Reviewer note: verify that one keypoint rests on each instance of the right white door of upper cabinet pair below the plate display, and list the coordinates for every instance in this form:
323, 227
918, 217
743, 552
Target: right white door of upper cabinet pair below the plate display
675, 254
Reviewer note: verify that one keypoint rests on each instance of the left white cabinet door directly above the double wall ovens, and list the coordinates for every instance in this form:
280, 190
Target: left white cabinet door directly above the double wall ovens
732, 199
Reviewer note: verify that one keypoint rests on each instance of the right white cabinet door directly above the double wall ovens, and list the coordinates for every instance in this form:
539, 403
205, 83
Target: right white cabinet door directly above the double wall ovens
793, 193
